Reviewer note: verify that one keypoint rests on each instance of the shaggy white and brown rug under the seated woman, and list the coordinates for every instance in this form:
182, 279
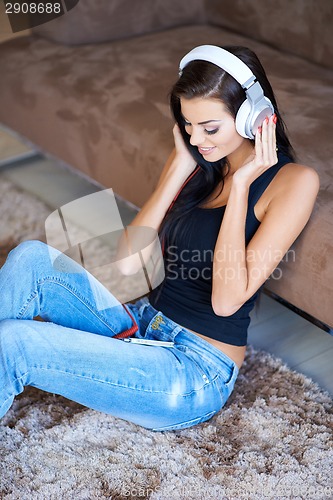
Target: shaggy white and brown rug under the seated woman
273, 439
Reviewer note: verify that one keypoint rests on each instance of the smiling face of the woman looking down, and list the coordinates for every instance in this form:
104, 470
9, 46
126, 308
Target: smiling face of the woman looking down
211, 128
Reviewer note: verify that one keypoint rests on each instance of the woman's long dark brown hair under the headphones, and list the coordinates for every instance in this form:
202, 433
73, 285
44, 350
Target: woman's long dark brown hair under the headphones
204, 79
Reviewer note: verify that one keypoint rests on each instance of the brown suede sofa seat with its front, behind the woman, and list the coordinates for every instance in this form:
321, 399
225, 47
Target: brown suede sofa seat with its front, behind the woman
103, 109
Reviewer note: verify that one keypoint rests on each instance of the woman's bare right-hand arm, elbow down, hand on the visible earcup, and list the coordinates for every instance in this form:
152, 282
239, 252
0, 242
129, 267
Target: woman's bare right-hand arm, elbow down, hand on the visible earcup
239, 271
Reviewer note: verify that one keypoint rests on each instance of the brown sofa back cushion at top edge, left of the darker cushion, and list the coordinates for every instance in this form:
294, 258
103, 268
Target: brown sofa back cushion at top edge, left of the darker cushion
93, 21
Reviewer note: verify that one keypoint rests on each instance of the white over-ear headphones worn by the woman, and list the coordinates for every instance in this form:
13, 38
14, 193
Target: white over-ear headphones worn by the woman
256, 106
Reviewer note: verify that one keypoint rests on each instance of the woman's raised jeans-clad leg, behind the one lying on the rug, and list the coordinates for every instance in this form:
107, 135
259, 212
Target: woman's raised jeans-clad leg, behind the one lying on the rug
64, 293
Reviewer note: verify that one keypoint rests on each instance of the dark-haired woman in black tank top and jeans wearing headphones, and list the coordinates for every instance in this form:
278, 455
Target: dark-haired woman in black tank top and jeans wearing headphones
229, 203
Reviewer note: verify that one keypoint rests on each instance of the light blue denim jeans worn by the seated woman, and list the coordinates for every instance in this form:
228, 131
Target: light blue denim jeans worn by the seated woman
72, 352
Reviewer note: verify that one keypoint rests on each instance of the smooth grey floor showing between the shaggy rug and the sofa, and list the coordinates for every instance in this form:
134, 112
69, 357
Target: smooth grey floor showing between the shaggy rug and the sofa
274, 328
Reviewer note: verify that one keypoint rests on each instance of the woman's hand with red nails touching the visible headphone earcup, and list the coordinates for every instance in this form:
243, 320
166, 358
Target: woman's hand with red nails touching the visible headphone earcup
265, 155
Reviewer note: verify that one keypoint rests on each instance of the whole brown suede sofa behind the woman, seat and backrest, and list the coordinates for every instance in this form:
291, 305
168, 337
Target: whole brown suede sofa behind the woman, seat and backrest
91, 88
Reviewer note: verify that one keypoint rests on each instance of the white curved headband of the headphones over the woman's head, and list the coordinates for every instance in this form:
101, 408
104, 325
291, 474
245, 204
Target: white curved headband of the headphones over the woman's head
222, 58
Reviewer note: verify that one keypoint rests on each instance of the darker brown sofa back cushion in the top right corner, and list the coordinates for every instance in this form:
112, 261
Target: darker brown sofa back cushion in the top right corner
300, 27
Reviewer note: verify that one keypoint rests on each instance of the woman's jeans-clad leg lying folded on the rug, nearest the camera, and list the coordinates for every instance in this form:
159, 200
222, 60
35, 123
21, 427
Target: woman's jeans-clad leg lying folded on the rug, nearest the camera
152, 386
